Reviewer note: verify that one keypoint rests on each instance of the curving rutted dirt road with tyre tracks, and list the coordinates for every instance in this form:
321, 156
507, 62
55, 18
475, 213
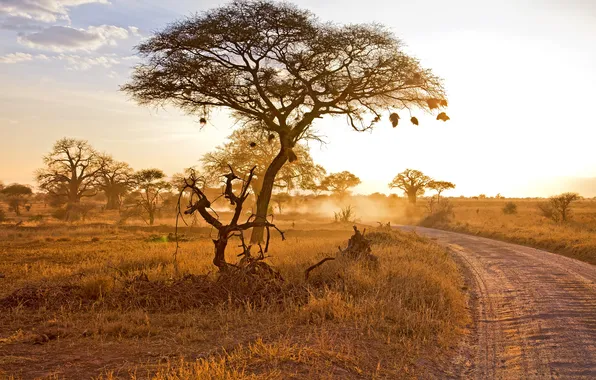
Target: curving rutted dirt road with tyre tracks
535, 312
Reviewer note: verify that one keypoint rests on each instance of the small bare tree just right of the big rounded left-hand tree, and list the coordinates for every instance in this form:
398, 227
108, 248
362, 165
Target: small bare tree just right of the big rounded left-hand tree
114, 180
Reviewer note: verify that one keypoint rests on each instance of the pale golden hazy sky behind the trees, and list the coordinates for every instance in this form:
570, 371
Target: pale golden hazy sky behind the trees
519, 77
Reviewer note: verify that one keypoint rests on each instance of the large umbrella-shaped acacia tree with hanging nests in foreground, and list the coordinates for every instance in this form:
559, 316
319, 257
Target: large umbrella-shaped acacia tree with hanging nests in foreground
278, 68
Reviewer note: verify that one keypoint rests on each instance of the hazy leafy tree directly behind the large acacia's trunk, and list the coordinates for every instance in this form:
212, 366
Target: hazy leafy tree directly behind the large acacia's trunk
248, 148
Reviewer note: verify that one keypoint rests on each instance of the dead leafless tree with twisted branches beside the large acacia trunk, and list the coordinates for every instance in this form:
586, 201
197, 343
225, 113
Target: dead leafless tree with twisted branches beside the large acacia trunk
199, 203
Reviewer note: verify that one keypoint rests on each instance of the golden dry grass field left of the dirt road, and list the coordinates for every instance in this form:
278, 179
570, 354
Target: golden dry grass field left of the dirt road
75, 304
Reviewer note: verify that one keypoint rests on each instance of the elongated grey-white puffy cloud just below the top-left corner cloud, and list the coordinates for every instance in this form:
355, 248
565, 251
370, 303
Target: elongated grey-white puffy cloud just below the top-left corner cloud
64, 38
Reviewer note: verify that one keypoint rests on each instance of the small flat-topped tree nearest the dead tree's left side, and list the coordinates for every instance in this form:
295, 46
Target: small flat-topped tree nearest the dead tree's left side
149, 184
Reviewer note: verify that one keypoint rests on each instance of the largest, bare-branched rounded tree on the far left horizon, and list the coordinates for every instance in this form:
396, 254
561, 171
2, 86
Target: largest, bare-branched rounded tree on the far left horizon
71, 172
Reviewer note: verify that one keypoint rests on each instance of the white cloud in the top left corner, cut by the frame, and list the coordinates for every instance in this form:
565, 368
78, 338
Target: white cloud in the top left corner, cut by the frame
42, 10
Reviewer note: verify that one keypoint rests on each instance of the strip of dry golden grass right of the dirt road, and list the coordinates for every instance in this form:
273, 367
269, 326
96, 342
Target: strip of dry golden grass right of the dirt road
576, 239
